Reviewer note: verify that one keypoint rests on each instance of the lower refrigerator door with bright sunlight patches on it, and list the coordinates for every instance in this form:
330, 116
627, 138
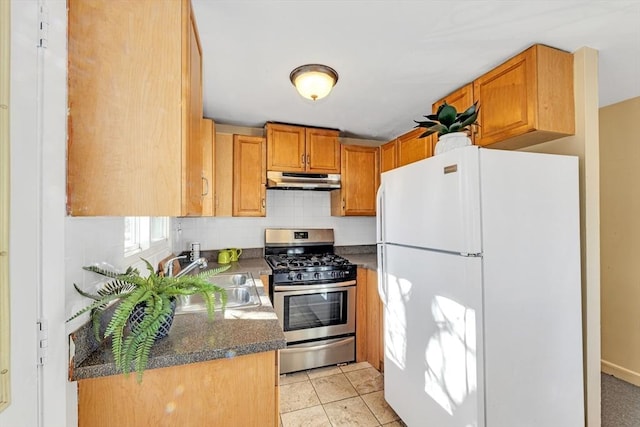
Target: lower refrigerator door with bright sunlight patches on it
432, 331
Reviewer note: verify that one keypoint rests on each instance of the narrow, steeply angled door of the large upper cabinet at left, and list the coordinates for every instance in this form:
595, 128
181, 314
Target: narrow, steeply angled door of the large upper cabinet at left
192, 171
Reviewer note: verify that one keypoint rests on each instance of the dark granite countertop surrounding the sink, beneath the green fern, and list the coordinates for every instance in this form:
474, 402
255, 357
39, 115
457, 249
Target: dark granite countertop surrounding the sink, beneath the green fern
195, 338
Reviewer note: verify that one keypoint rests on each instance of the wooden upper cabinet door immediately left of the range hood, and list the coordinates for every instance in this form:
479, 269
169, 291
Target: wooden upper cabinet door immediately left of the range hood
249, 176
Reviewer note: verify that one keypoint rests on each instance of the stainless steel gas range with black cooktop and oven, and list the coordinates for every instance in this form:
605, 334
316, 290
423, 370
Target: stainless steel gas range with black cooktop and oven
314, 295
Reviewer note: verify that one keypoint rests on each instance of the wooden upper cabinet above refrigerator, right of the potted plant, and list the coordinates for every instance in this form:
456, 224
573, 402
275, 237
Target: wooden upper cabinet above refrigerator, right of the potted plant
526, 100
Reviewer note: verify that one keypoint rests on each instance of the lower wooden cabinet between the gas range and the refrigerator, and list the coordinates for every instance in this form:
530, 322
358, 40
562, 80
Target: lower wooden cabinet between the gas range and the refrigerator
369, 320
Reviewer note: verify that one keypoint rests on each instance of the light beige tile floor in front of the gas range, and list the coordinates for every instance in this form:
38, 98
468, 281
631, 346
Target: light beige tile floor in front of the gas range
335, 396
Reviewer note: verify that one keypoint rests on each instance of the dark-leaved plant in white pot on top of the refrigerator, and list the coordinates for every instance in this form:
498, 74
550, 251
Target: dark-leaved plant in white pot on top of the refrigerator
452, 127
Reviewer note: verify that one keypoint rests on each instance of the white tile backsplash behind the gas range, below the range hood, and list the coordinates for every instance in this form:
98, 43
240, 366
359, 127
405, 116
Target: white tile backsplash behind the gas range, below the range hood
285, 209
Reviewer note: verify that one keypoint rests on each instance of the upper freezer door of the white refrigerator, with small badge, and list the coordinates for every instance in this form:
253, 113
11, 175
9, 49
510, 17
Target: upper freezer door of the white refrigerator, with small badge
433, 203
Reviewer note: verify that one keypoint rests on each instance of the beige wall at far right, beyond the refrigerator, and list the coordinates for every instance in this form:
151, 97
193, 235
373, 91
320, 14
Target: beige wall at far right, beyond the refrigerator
620, 236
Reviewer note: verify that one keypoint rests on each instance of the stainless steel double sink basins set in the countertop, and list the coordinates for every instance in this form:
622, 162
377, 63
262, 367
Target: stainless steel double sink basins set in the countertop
241, 293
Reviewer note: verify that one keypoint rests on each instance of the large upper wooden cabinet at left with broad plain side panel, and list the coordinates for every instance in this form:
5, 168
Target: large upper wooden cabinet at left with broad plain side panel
135, 109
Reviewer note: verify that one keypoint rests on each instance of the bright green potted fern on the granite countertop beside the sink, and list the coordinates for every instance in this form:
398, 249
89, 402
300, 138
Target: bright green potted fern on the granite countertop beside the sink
144, 311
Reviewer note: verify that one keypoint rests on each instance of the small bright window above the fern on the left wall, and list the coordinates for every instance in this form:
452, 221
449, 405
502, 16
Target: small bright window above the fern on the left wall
142, 233
